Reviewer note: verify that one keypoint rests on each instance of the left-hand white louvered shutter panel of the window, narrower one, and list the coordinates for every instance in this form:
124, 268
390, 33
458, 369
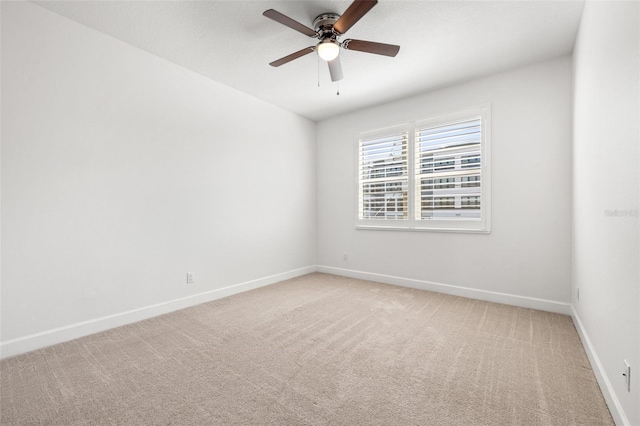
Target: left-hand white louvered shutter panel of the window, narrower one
383, 177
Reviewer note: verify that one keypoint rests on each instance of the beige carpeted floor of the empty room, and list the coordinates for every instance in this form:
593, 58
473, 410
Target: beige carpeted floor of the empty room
315, 350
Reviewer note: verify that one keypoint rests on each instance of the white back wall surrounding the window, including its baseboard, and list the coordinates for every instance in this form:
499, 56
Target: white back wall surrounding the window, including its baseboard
527, 254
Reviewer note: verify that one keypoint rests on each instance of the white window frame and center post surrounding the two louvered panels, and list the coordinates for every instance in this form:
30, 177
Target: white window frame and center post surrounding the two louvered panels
480, 225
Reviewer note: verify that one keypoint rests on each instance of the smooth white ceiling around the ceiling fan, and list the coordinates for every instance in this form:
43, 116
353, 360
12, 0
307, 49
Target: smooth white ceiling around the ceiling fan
442, 42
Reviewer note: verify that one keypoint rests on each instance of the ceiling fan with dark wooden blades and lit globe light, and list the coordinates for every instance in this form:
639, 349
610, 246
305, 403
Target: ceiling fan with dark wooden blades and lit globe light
328, 27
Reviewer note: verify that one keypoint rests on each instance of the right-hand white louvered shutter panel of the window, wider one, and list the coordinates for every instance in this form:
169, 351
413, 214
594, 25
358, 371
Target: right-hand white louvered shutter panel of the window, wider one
448, 164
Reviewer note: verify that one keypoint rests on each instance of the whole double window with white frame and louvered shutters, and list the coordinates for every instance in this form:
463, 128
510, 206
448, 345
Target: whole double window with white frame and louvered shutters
427, 175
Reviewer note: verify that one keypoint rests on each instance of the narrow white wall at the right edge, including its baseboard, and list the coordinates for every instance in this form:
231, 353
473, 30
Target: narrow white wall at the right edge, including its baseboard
606, 164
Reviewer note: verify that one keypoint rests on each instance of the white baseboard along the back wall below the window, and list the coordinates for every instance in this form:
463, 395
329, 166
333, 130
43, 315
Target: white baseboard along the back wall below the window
489, 296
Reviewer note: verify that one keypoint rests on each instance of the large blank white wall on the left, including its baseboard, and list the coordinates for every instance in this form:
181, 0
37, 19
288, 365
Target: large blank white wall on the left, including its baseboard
122, 171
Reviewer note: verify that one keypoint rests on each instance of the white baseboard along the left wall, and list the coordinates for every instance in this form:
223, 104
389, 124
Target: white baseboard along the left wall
85, 328
